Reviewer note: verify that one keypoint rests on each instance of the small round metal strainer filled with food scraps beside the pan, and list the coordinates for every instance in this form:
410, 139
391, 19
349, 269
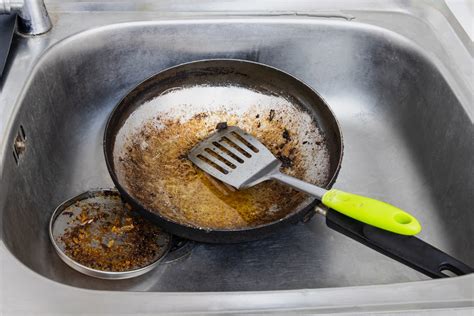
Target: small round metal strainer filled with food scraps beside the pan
97, 234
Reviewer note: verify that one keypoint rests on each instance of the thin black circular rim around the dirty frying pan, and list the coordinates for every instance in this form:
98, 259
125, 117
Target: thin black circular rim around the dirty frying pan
217, 235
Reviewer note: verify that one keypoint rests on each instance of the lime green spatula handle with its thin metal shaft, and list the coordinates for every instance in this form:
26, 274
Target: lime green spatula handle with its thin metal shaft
361, 208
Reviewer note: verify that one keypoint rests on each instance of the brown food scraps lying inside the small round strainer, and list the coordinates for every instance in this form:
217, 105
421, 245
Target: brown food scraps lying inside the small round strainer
106, 236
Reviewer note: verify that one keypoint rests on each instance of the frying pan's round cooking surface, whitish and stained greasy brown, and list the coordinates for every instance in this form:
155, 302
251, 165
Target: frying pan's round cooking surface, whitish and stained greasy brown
150, 155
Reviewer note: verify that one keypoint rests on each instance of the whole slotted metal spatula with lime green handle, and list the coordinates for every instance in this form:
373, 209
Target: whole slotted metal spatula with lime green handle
240, 160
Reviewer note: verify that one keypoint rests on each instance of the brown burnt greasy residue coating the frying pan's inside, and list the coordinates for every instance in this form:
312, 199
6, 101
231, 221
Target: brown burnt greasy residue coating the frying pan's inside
157, 173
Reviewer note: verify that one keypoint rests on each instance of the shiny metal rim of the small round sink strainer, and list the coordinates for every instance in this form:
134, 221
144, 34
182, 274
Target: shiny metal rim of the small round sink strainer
101, 274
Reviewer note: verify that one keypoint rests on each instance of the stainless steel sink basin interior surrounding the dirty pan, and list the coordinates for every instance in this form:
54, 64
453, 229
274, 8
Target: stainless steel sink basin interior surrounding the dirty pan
404, 135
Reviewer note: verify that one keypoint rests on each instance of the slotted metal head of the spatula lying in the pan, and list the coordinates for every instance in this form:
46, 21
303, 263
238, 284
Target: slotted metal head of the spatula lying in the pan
234, 157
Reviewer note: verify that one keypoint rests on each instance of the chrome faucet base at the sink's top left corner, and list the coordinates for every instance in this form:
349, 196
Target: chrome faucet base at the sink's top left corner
33, 19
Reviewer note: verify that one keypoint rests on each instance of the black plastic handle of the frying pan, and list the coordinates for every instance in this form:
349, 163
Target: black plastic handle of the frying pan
408, 250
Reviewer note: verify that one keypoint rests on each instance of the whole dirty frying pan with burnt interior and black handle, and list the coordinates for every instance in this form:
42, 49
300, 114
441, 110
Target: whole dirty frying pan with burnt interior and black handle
150, 132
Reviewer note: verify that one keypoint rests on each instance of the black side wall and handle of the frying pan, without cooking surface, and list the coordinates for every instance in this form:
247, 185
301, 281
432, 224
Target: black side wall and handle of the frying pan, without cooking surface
257, 77
